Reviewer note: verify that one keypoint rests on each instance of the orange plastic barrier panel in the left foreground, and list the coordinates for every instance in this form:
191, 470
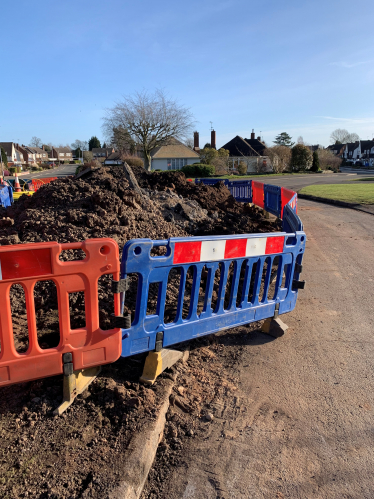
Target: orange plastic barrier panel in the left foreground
26, 264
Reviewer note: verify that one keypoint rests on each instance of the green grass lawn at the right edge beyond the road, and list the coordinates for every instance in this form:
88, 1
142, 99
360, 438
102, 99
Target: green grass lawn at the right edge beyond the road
359, 193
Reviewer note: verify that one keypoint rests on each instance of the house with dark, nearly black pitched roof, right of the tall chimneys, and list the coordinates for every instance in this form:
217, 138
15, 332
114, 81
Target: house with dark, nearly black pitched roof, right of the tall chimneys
249, 151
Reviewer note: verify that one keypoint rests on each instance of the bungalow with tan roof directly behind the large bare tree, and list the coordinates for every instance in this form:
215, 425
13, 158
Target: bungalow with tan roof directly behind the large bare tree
173, 156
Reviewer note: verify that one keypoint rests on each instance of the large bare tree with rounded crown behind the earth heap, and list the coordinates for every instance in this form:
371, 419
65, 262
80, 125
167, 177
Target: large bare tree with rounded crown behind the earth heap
151, 120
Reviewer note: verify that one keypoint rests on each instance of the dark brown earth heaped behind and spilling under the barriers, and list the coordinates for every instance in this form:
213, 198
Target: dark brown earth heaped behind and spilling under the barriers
79, 454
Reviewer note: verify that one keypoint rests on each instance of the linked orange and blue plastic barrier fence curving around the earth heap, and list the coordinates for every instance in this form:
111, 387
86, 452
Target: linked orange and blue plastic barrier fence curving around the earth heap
222, 282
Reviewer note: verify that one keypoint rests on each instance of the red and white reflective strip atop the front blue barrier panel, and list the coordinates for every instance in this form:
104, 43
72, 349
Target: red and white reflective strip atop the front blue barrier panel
223, 249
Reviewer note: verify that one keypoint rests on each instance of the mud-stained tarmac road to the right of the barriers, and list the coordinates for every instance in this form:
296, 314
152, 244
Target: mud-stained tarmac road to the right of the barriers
304, 425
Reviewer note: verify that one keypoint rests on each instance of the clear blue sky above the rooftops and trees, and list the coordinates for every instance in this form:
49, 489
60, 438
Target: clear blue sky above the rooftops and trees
302, 67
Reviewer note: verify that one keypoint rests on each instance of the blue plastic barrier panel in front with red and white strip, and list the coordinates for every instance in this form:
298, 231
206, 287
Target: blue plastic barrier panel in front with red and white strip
212, 295
